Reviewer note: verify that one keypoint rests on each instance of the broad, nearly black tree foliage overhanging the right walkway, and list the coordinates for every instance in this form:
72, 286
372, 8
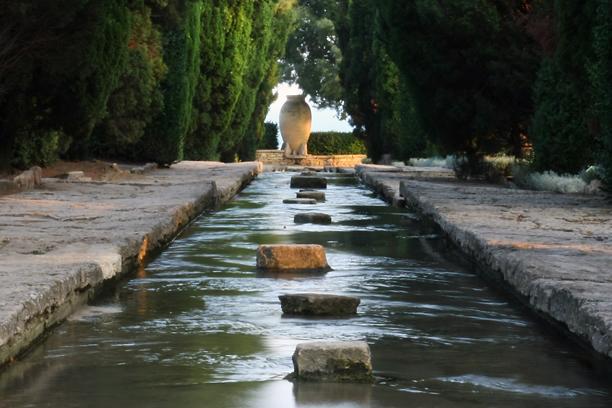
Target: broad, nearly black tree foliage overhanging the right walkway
470, 66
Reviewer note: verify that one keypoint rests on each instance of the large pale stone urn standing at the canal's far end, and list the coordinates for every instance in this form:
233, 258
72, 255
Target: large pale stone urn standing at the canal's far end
295, 122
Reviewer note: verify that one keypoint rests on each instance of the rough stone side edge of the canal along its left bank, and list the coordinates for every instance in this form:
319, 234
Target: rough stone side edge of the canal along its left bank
45, 309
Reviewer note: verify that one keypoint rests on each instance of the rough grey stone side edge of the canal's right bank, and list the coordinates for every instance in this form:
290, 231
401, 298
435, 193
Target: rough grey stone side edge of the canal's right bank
572, 315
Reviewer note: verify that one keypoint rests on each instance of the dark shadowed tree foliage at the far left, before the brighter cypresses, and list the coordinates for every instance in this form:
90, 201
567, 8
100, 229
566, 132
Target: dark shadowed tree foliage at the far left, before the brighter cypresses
59, 61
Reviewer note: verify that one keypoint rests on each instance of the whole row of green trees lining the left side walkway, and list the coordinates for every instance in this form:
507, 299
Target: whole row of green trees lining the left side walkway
149, 77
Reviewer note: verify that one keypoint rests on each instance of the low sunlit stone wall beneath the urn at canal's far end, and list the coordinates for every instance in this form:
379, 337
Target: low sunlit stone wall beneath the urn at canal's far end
276, 157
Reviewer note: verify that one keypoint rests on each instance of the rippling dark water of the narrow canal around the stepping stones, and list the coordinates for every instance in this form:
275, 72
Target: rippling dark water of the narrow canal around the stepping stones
199, 327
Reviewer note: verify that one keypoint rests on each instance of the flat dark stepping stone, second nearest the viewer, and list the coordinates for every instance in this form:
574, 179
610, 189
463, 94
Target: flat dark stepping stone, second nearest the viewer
314, 304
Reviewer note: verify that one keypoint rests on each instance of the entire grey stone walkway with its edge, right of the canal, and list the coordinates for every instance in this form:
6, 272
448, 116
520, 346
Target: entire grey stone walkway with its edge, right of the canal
554, 251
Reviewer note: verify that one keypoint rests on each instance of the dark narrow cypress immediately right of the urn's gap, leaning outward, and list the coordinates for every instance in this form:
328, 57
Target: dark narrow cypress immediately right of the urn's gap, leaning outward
377, 95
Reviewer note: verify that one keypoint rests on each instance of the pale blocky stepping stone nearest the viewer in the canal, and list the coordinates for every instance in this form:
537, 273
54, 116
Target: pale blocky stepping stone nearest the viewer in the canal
333, 361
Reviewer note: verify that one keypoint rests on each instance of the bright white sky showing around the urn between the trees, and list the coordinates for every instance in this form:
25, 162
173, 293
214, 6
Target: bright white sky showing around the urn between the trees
322, 119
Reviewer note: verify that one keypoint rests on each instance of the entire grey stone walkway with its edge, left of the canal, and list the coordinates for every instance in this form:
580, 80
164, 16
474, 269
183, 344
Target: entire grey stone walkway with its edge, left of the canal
62, 241
